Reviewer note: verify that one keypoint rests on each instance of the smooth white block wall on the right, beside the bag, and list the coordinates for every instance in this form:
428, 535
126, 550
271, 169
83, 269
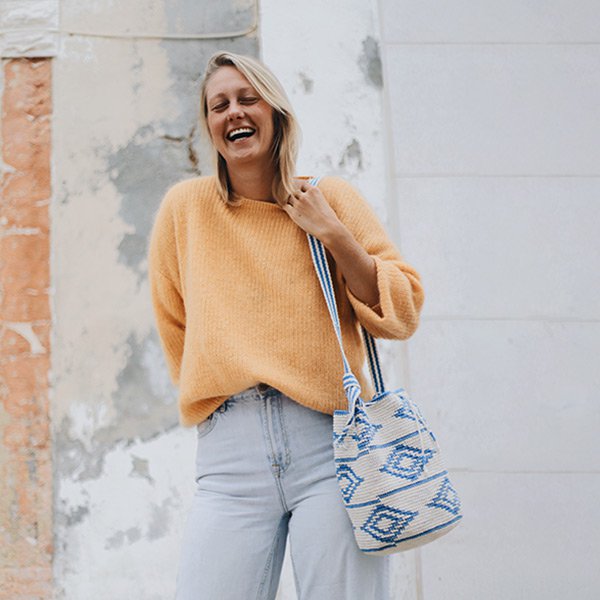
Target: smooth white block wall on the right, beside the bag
494, 116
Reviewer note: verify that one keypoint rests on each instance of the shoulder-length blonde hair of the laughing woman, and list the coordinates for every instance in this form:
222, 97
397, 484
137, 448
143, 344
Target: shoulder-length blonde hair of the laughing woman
286, 135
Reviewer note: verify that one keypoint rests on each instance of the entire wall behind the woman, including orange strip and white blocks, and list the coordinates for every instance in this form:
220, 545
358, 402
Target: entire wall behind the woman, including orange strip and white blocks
477, 146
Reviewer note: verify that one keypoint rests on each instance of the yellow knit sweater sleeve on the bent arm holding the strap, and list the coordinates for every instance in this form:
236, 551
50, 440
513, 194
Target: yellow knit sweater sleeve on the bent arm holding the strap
401, 295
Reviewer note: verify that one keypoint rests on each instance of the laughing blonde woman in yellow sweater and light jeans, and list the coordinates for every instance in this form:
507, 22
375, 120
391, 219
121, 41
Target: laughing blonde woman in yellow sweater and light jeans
249, 341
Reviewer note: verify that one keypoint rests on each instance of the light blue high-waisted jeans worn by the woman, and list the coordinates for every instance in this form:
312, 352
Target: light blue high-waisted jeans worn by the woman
265, 469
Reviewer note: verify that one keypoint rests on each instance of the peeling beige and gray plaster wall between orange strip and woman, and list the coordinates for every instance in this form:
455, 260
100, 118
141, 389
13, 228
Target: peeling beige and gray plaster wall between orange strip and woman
125, 130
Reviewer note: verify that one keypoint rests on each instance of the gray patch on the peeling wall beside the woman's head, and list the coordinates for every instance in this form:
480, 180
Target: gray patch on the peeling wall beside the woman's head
160, 154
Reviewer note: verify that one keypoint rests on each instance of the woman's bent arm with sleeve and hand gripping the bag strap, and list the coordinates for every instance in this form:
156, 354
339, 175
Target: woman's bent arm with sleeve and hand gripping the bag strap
384, 291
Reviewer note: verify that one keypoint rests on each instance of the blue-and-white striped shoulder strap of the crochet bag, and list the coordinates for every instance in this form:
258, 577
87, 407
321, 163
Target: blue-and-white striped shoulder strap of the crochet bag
351, 385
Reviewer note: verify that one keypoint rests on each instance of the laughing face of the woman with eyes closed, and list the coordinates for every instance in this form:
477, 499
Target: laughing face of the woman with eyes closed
240, 122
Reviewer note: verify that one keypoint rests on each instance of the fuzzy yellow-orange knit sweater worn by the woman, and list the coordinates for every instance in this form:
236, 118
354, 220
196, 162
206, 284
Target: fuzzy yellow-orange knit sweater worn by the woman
237, 300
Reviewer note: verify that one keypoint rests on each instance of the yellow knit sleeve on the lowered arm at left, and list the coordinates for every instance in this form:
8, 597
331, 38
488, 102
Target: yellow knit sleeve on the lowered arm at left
165, 285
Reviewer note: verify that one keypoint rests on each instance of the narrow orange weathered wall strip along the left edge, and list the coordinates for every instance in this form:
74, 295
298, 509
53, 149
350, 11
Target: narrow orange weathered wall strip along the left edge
25, 453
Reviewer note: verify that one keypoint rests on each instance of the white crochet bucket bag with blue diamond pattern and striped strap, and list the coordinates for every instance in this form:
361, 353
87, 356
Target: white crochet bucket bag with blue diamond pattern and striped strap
390, 472
